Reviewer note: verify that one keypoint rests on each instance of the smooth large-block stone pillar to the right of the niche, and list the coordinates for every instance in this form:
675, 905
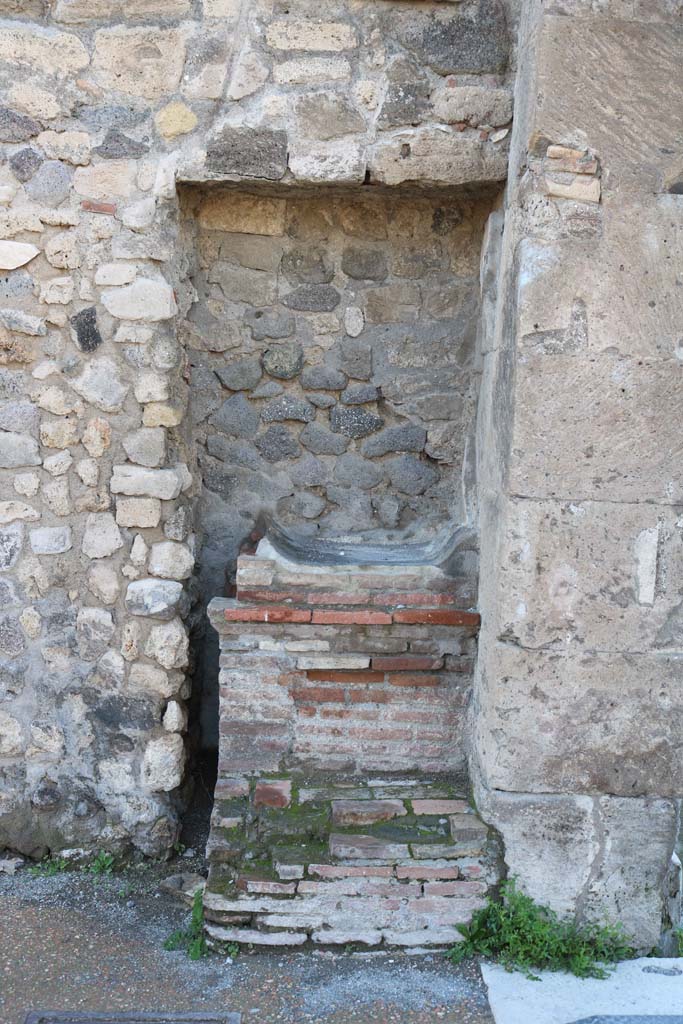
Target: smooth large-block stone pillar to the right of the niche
577, 719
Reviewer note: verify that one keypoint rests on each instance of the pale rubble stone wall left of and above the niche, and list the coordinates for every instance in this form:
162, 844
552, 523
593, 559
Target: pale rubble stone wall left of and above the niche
108, 110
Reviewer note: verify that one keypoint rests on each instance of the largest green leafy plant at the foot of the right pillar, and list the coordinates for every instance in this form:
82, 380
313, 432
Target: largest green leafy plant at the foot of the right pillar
526, 936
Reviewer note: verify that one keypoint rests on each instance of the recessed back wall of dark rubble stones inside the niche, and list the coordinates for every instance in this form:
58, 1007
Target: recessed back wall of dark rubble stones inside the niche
334, 365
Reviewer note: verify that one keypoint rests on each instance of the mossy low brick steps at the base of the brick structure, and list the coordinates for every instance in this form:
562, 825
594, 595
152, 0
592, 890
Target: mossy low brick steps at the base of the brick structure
397, 861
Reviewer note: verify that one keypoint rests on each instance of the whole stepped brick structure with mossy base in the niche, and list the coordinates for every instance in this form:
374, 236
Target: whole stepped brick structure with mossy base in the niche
340, 814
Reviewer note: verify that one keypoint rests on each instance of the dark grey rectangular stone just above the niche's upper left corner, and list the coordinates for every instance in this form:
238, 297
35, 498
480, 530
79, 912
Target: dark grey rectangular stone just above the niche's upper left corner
252, 153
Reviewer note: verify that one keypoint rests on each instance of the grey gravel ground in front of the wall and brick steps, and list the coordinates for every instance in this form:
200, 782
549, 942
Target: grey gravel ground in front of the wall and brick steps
74, 943
